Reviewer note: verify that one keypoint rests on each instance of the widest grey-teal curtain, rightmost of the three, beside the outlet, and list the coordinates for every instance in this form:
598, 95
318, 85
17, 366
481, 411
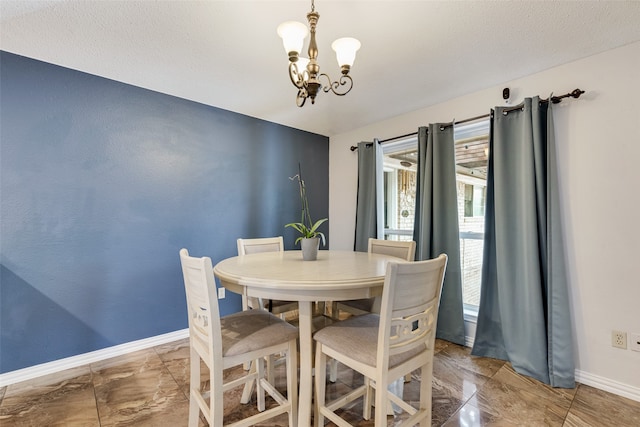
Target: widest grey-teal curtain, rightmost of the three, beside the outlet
524, 305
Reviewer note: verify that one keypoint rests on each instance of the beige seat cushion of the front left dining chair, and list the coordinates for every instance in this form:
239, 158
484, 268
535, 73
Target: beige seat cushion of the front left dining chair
250, 330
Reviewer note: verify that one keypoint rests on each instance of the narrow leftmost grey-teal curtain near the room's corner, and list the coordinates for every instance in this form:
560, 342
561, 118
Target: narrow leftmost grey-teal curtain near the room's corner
369, 201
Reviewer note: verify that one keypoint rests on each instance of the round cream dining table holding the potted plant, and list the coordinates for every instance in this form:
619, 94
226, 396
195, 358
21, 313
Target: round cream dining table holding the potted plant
334, 276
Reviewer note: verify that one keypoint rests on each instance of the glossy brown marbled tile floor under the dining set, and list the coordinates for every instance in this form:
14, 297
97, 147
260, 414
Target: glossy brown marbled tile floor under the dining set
149, 388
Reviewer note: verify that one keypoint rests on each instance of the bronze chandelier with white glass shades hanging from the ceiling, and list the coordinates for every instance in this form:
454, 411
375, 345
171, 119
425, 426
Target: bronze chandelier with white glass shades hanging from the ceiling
305, 72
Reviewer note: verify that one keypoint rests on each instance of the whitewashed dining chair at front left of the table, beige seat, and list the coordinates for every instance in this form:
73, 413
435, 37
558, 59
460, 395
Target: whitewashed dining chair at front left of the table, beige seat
225, 342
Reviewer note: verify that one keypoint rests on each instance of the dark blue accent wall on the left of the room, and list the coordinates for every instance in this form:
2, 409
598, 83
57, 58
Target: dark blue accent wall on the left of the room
101, 184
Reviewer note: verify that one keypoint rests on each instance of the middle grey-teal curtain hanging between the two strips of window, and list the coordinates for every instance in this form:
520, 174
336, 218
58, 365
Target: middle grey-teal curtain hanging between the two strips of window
436, 228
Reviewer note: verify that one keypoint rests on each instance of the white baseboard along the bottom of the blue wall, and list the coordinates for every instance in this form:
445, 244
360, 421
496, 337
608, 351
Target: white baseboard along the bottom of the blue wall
86, 358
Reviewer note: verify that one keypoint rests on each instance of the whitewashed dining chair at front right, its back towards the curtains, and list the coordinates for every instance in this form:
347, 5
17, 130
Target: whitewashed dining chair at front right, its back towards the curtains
385, 347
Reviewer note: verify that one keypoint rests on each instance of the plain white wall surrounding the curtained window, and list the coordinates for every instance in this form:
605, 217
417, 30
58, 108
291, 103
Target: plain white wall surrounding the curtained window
599, 159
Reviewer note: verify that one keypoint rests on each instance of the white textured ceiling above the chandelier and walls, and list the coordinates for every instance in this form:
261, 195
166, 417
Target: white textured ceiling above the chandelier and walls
227, 53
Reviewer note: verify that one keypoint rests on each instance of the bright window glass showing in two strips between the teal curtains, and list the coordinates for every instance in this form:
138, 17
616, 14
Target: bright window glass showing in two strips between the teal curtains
400, 174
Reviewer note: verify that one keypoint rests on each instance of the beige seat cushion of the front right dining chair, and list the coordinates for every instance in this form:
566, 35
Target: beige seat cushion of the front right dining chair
357, 337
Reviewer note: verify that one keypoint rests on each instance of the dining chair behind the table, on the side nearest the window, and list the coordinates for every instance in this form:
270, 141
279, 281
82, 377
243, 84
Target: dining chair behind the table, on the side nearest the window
399, 249
